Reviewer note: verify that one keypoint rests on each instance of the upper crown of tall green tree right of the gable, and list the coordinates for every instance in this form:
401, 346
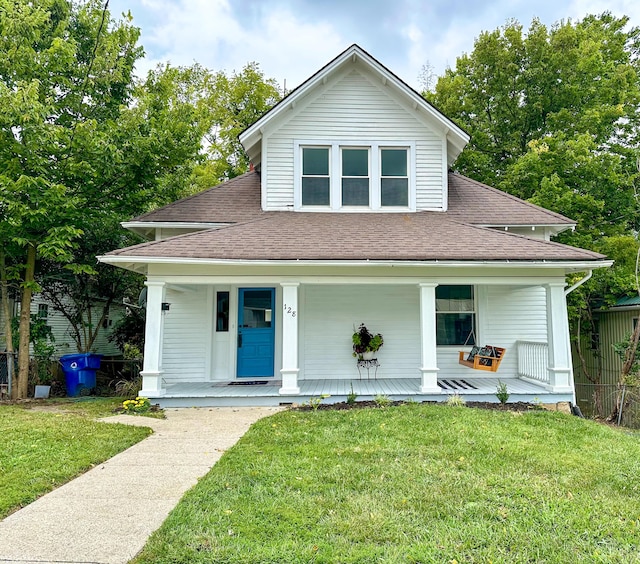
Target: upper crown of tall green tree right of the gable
515, 88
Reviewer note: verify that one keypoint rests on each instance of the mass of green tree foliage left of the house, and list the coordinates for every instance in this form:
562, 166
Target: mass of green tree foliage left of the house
84, 145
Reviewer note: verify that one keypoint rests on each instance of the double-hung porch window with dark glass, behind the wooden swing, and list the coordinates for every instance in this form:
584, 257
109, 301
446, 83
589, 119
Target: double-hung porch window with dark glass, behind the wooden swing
455, 315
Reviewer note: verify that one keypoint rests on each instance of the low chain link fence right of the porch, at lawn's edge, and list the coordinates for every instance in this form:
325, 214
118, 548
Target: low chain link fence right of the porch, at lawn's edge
605, 401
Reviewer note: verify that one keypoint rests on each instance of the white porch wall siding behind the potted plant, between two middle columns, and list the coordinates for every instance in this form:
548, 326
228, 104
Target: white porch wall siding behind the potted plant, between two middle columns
330, 314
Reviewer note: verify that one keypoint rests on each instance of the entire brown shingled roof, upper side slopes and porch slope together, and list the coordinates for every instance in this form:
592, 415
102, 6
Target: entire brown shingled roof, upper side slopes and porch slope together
455, 235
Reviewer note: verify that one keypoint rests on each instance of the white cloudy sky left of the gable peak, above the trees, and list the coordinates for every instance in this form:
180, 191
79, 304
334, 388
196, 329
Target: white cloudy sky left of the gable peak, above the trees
208, 31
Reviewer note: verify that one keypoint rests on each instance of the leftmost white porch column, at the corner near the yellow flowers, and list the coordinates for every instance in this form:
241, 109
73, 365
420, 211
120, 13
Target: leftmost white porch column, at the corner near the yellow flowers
153, 335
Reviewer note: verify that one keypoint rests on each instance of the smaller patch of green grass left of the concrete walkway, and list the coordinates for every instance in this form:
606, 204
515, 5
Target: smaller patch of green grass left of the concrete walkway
48, 443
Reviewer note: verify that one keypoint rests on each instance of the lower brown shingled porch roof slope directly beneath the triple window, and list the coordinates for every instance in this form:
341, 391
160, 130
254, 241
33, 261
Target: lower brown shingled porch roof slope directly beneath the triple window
421, 236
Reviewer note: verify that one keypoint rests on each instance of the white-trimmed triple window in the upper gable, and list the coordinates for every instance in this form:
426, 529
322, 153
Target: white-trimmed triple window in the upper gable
346, 176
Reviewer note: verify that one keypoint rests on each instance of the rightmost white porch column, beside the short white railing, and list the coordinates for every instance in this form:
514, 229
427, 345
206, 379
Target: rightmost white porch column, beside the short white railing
560, 369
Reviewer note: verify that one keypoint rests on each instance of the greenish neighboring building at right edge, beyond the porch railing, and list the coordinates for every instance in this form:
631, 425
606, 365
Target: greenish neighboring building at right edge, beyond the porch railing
612, 325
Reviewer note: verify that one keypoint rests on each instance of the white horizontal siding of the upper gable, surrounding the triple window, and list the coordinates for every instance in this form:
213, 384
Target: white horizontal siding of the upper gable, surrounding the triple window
353, 107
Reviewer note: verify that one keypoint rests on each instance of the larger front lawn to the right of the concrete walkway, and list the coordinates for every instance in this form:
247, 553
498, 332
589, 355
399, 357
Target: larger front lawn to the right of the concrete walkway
414, 483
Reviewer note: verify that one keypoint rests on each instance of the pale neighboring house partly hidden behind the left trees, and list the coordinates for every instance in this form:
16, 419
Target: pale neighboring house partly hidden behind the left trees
61, 329
